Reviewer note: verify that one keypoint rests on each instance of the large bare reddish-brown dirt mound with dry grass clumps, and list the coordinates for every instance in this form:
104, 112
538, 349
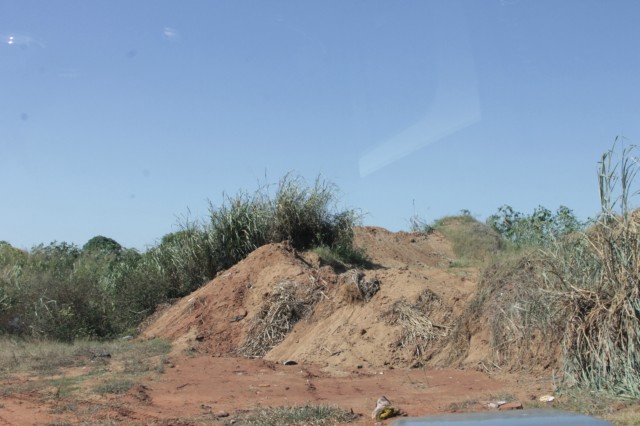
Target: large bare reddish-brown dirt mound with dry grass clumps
293, 307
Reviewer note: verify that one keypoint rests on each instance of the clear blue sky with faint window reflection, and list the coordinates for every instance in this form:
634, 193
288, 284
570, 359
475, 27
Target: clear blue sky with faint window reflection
117, 117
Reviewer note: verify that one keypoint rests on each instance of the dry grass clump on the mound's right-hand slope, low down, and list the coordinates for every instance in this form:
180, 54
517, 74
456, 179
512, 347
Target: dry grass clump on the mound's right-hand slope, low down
422, 323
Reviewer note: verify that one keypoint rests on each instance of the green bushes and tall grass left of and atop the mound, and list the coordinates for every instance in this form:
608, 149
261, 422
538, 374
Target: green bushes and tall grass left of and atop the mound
104, 290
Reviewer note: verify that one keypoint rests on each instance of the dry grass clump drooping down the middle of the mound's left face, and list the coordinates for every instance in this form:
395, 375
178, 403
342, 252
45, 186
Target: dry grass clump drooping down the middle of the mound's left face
289, 303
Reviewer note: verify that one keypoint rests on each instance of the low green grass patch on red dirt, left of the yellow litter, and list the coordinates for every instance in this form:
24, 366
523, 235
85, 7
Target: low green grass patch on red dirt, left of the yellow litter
299, 415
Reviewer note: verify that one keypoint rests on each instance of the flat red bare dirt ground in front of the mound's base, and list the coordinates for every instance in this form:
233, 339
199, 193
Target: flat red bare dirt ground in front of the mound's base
192, 390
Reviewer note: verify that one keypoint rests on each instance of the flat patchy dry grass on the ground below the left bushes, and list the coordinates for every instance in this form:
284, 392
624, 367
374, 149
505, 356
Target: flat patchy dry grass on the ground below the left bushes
116, 365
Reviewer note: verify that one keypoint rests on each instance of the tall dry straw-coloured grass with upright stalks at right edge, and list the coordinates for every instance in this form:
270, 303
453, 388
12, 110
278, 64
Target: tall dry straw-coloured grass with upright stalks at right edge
596, 276
